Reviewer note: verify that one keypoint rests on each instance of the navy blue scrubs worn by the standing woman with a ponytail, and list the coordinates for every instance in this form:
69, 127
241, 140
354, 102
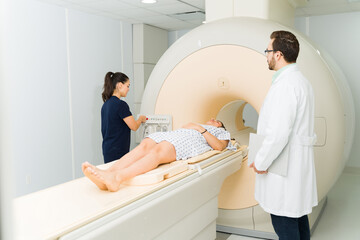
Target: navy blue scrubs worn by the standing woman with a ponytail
115, 132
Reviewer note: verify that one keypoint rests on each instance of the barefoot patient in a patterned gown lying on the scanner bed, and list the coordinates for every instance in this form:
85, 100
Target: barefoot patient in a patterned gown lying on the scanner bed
158, 148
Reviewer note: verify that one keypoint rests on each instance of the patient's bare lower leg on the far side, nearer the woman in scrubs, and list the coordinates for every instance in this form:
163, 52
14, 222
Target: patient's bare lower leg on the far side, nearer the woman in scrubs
134, 155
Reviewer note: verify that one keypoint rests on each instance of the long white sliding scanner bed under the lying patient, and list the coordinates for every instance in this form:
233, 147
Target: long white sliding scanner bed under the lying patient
79, 210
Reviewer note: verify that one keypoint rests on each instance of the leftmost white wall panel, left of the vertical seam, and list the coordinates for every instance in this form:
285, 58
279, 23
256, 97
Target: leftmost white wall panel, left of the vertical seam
36, 69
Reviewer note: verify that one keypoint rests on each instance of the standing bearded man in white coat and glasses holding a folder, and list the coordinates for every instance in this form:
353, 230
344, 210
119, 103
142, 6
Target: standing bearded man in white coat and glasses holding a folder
286, 121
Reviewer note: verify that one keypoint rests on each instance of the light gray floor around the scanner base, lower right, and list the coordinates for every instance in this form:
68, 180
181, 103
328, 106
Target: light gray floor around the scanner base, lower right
341, 217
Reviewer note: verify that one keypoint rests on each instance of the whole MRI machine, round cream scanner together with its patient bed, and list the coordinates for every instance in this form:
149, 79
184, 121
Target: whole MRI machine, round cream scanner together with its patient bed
215, 70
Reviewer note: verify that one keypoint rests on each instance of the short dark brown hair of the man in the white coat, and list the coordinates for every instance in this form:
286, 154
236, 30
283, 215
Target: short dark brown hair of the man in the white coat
287, 44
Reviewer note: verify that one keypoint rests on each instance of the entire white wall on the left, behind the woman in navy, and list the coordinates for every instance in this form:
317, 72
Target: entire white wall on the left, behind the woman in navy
54, 65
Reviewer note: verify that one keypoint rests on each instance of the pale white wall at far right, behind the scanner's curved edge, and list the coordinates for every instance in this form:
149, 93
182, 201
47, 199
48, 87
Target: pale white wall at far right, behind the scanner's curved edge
339, 35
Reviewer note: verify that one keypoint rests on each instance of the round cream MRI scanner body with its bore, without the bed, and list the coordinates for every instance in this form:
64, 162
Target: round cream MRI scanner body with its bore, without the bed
207, 75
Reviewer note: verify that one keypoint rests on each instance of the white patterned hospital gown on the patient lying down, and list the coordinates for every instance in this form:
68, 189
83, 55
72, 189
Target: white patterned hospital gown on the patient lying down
189, 142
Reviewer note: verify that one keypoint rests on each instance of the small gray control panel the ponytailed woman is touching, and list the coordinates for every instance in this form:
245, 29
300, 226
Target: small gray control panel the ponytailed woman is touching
154, 123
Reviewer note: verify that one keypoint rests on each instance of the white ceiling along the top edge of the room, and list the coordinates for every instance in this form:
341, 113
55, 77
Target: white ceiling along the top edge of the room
183, 14
